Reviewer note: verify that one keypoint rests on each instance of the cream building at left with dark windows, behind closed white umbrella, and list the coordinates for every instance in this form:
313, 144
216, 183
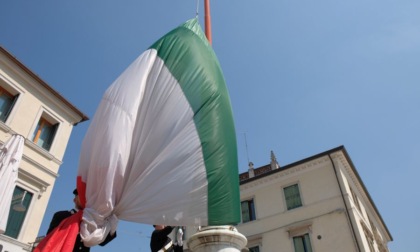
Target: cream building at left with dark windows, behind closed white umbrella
31, 108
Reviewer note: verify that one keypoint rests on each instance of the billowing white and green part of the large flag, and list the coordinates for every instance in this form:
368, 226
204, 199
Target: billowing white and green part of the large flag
161, 148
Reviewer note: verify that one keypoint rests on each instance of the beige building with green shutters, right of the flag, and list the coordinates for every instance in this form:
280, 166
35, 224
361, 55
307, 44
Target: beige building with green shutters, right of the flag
316, 204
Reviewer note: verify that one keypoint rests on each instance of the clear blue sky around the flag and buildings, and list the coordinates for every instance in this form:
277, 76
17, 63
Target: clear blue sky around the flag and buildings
303, 76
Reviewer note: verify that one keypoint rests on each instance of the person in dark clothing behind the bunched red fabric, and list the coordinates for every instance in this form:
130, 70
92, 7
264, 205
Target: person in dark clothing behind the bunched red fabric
61, 215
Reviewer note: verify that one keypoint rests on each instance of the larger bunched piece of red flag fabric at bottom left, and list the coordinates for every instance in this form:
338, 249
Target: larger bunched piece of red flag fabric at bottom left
63, 237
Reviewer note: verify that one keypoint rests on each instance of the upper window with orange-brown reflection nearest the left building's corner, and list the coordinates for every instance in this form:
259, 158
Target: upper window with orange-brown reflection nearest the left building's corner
44, 133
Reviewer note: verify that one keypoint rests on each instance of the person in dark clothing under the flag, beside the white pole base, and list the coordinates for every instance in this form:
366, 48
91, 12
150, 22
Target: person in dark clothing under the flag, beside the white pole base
160, 242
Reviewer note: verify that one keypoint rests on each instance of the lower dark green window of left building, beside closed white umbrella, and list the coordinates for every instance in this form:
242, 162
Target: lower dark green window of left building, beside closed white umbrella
18, 209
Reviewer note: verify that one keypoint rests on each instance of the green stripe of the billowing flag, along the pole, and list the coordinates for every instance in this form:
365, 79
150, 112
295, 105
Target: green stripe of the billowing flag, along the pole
193, 63
